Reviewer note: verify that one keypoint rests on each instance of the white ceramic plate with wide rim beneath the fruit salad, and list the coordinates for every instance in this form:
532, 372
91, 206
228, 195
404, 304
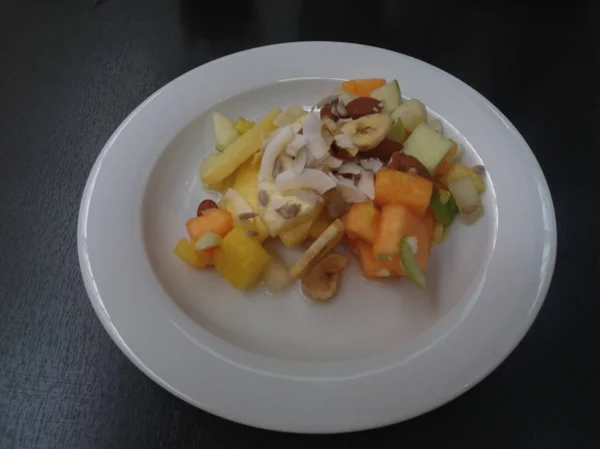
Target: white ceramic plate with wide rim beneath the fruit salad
380, 352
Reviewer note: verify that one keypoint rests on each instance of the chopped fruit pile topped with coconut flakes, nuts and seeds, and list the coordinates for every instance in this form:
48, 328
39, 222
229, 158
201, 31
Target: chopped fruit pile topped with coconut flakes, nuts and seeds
361, 168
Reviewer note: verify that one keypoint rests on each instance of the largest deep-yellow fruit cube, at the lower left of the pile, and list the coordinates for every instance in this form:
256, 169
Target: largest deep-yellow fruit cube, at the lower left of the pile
241, 259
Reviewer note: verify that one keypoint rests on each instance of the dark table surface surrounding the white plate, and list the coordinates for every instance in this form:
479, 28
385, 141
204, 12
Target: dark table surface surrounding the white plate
71, 71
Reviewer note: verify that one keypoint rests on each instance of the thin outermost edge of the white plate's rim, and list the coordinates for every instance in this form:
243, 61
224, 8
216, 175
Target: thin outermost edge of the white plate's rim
97, 302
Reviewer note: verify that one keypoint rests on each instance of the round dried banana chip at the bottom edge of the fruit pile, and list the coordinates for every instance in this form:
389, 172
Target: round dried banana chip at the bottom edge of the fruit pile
322, 281
